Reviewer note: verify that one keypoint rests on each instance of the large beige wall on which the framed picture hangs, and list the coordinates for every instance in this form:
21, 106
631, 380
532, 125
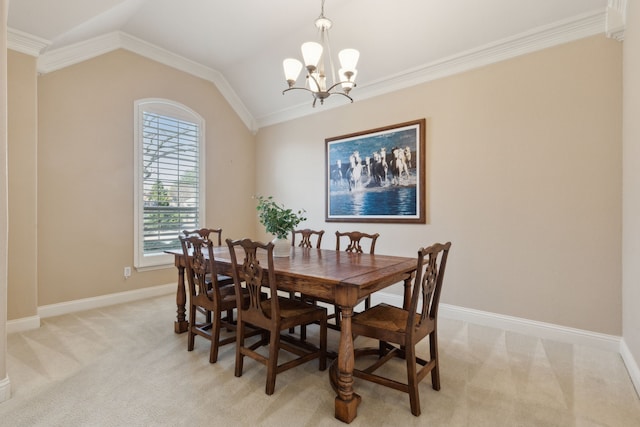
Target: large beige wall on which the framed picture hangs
523, 176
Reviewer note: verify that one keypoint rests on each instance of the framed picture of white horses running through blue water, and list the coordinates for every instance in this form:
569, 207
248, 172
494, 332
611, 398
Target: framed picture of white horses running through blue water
377, 175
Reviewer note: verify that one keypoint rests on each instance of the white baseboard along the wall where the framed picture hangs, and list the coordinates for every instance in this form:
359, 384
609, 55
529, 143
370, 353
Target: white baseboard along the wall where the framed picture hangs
519, 325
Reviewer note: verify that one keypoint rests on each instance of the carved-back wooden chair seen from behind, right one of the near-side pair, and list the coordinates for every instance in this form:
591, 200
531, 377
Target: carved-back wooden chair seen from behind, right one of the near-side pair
272, 314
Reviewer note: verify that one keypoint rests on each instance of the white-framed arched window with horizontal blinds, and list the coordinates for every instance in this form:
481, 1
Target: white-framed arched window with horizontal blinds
169, 178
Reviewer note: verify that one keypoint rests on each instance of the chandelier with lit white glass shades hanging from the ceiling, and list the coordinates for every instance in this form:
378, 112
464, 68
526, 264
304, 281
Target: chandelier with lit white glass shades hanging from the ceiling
321, 77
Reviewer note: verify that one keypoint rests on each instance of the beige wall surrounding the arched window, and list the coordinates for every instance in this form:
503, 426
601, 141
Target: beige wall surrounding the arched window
85, 171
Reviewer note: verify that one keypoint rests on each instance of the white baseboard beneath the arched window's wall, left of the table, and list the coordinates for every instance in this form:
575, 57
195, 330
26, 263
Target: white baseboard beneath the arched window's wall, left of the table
104, 300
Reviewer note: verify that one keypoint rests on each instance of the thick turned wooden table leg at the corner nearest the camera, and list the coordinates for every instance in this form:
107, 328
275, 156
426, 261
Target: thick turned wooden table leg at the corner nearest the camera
346, 402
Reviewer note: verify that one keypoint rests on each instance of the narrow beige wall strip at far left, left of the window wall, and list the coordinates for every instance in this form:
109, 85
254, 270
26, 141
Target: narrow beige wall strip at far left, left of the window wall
23, 141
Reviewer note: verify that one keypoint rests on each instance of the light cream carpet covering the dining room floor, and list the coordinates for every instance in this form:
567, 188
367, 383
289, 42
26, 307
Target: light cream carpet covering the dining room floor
124, 366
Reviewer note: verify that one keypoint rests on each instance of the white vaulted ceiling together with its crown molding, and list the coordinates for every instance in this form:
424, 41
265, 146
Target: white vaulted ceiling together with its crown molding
240, 44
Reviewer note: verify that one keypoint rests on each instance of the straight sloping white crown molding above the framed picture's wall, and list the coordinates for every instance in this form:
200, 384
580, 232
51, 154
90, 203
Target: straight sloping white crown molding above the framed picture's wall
543, 37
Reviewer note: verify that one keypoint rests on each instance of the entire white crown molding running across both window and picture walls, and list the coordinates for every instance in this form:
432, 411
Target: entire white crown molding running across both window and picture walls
557, 33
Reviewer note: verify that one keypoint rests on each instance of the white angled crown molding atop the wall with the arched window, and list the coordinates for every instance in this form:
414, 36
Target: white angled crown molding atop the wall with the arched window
69, 55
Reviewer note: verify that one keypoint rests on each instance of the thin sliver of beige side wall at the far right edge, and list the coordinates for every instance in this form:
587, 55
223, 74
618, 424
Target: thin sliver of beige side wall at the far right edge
631, 184
